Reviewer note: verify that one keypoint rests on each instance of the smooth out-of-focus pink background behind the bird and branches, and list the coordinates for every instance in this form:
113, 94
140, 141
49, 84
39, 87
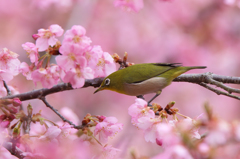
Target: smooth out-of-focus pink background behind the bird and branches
194, 33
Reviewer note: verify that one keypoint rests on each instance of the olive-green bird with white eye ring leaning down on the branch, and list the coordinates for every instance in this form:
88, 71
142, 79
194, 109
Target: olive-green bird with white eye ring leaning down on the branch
141, 79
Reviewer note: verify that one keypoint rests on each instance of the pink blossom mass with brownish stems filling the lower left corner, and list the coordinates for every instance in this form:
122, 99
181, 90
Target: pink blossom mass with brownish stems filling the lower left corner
47, 139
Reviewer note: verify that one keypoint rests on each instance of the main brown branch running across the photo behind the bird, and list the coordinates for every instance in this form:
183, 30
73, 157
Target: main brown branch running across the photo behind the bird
206, 78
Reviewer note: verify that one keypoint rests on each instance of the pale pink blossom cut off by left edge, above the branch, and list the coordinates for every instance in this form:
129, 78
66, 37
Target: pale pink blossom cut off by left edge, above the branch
9, 61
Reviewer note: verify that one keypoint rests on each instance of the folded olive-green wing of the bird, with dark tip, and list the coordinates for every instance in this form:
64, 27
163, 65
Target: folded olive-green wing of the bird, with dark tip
146, 71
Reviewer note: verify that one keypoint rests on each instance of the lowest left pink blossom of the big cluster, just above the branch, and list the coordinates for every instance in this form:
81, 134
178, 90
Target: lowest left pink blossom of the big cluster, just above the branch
48, 77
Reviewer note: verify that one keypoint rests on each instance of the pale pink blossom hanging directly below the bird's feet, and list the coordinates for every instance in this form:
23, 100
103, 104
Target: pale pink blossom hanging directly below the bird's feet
140, 109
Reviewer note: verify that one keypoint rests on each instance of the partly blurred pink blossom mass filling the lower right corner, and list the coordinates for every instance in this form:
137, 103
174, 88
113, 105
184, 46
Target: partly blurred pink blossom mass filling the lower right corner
181, 138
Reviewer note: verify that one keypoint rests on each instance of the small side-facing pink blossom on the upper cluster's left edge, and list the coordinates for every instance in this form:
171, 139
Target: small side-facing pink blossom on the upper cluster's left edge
32, 52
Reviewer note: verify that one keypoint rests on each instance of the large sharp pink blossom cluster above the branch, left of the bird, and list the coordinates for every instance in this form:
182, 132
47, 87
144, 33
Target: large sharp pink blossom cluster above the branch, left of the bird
77, 60
